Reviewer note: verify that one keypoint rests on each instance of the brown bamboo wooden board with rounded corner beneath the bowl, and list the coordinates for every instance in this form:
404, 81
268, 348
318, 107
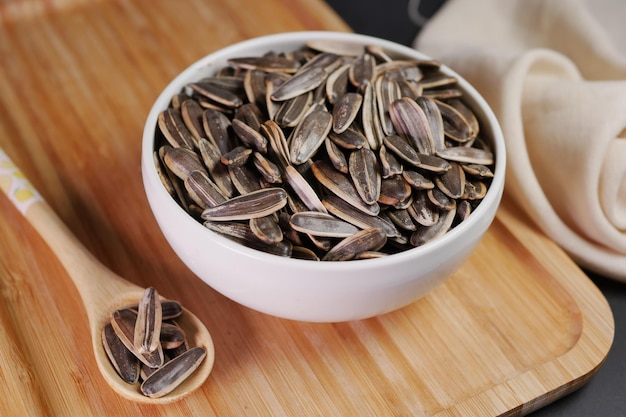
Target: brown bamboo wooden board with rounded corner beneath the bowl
516, 328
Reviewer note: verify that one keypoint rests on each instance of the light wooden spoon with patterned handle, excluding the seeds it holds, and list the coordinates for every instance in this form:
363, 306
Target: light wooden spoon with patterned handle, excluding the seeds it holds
101, 290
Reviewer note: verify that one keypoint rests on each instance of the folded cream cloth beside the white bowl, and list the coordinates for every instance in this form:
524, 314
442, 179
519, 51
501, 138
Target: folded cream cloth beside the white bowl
554, 72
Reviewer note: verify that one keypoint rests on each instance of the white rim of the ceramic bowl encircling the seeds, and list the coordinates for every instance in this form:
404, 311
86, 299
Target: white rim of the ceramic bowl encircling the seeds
263, 43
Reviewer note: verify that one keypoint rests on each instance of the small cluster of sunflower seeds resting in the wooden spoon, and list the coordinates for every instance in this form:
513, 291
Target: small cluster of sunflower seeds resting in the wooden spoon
145, 344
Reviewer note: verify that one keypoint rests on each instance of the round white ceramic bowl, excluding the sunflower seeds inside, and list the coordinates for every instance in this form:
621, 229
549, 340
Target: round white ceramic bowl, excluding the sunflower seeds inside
308, 290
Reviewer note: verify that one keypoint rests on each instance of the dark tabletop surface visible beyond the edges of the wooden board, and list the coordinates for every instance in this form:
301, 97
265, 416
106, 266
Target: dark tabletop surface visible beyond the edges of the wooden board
605, 393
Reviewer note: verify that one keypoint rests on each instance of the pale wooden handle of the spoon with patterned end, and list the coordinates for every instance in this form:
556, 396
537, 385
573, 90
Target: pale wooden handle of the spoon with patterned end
79, 263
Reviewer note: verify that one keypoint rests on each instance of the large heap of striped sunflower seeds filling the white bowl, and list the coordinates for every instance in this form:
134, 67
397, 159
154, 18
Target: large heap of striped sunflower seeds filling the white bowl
331, 152
